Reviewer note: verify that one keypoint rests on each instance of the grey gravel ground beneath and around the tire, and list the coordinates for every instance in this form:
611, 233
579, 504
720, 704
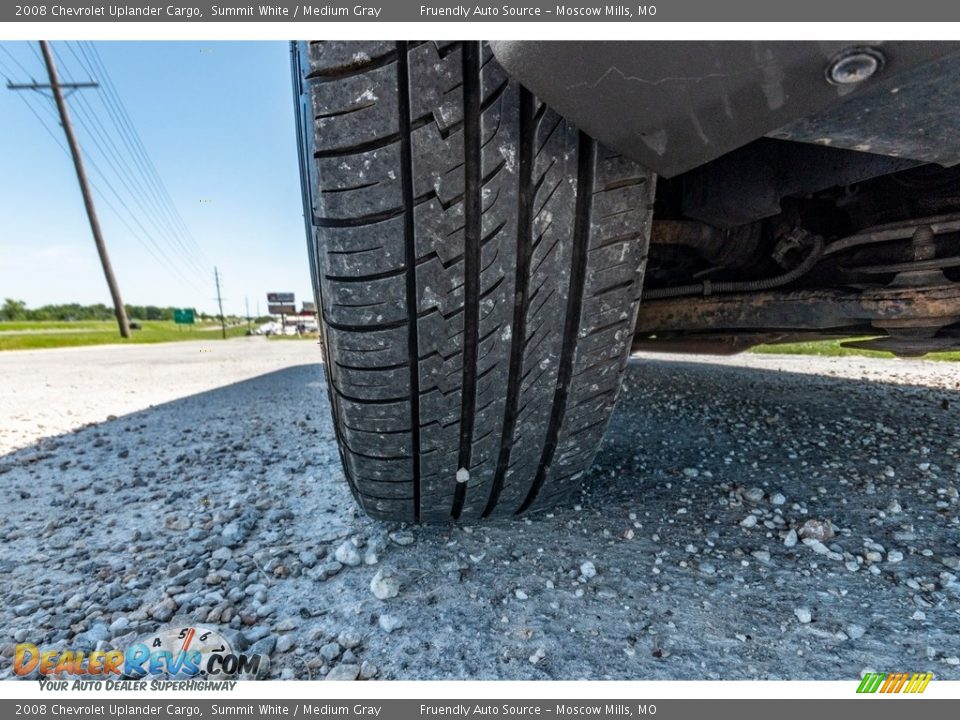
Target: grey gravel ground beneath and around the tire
749, 517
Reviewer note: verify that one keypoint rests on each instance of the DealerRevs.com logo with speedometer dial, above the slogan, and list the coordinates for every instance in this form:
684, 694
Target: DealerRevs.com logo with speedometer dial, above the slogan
176, 653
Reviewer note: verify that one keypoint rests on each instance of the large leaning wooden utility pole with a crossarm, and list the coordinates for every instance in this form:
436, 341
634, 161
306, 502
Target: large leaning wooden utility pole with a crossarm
57, 87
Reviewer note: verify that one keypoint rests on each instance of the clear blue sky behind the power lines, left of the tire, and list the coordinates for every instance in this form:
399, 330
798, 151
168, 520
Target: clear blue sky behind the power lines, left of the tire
216, 119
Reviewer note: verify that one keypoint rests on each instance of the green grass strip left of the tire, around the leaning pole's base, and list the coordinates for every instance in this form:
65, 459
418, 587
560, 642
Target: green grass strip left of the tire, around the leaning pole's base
39, 335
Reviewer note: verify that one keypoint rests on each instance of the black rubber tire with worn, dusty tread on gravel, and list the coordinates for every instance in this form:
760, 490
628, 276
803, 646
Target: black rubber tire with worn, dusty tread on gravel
479, 266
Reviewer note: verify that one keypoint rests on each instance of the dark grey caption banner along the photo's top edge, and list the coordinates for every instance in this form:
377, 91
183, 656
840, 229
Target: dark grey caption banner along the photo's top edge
522, 11
